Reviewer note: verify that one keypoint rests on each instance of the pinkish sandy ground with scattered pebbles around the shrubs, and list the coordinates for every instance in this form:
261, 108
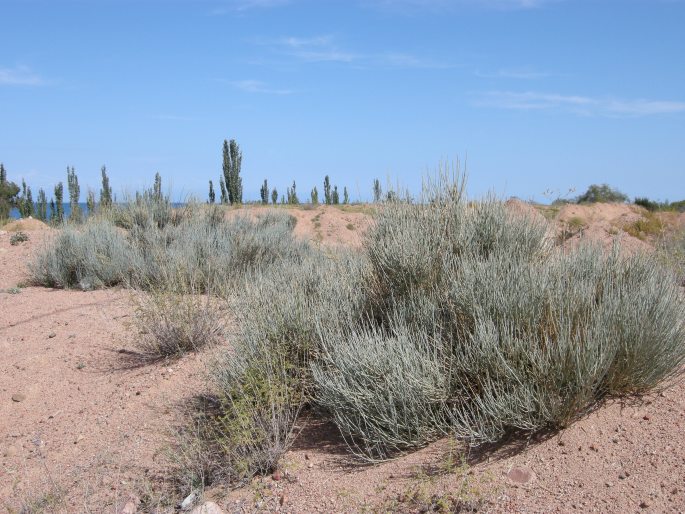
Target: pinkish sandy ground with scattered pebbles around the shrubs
82, 430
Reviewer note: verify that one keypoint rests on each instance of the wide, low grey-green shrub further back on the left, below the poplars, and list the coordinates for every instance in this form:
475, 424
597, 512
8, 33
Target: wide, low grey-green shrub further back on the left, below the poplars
155, 247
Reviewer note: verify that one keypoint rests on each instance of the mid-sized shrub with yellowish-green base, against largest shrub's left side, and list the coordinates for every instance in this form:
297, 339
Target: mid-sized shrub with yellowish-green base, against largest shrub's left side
266, 378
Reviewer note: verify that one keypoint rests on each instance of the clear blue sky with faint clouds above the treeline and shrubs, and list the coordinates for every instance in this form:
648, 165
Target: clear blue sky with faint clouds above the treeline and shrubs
535, 95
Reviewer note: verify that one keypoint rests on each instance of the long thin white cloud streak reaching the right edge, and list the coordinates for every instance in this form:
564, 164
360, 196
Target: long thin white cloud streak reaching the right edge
580, 105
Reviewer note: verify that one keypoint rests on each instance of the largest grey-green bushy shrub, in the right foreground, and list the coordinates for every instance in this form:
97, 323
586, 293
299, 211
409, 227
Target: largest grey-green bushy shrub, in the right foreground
474, 323
